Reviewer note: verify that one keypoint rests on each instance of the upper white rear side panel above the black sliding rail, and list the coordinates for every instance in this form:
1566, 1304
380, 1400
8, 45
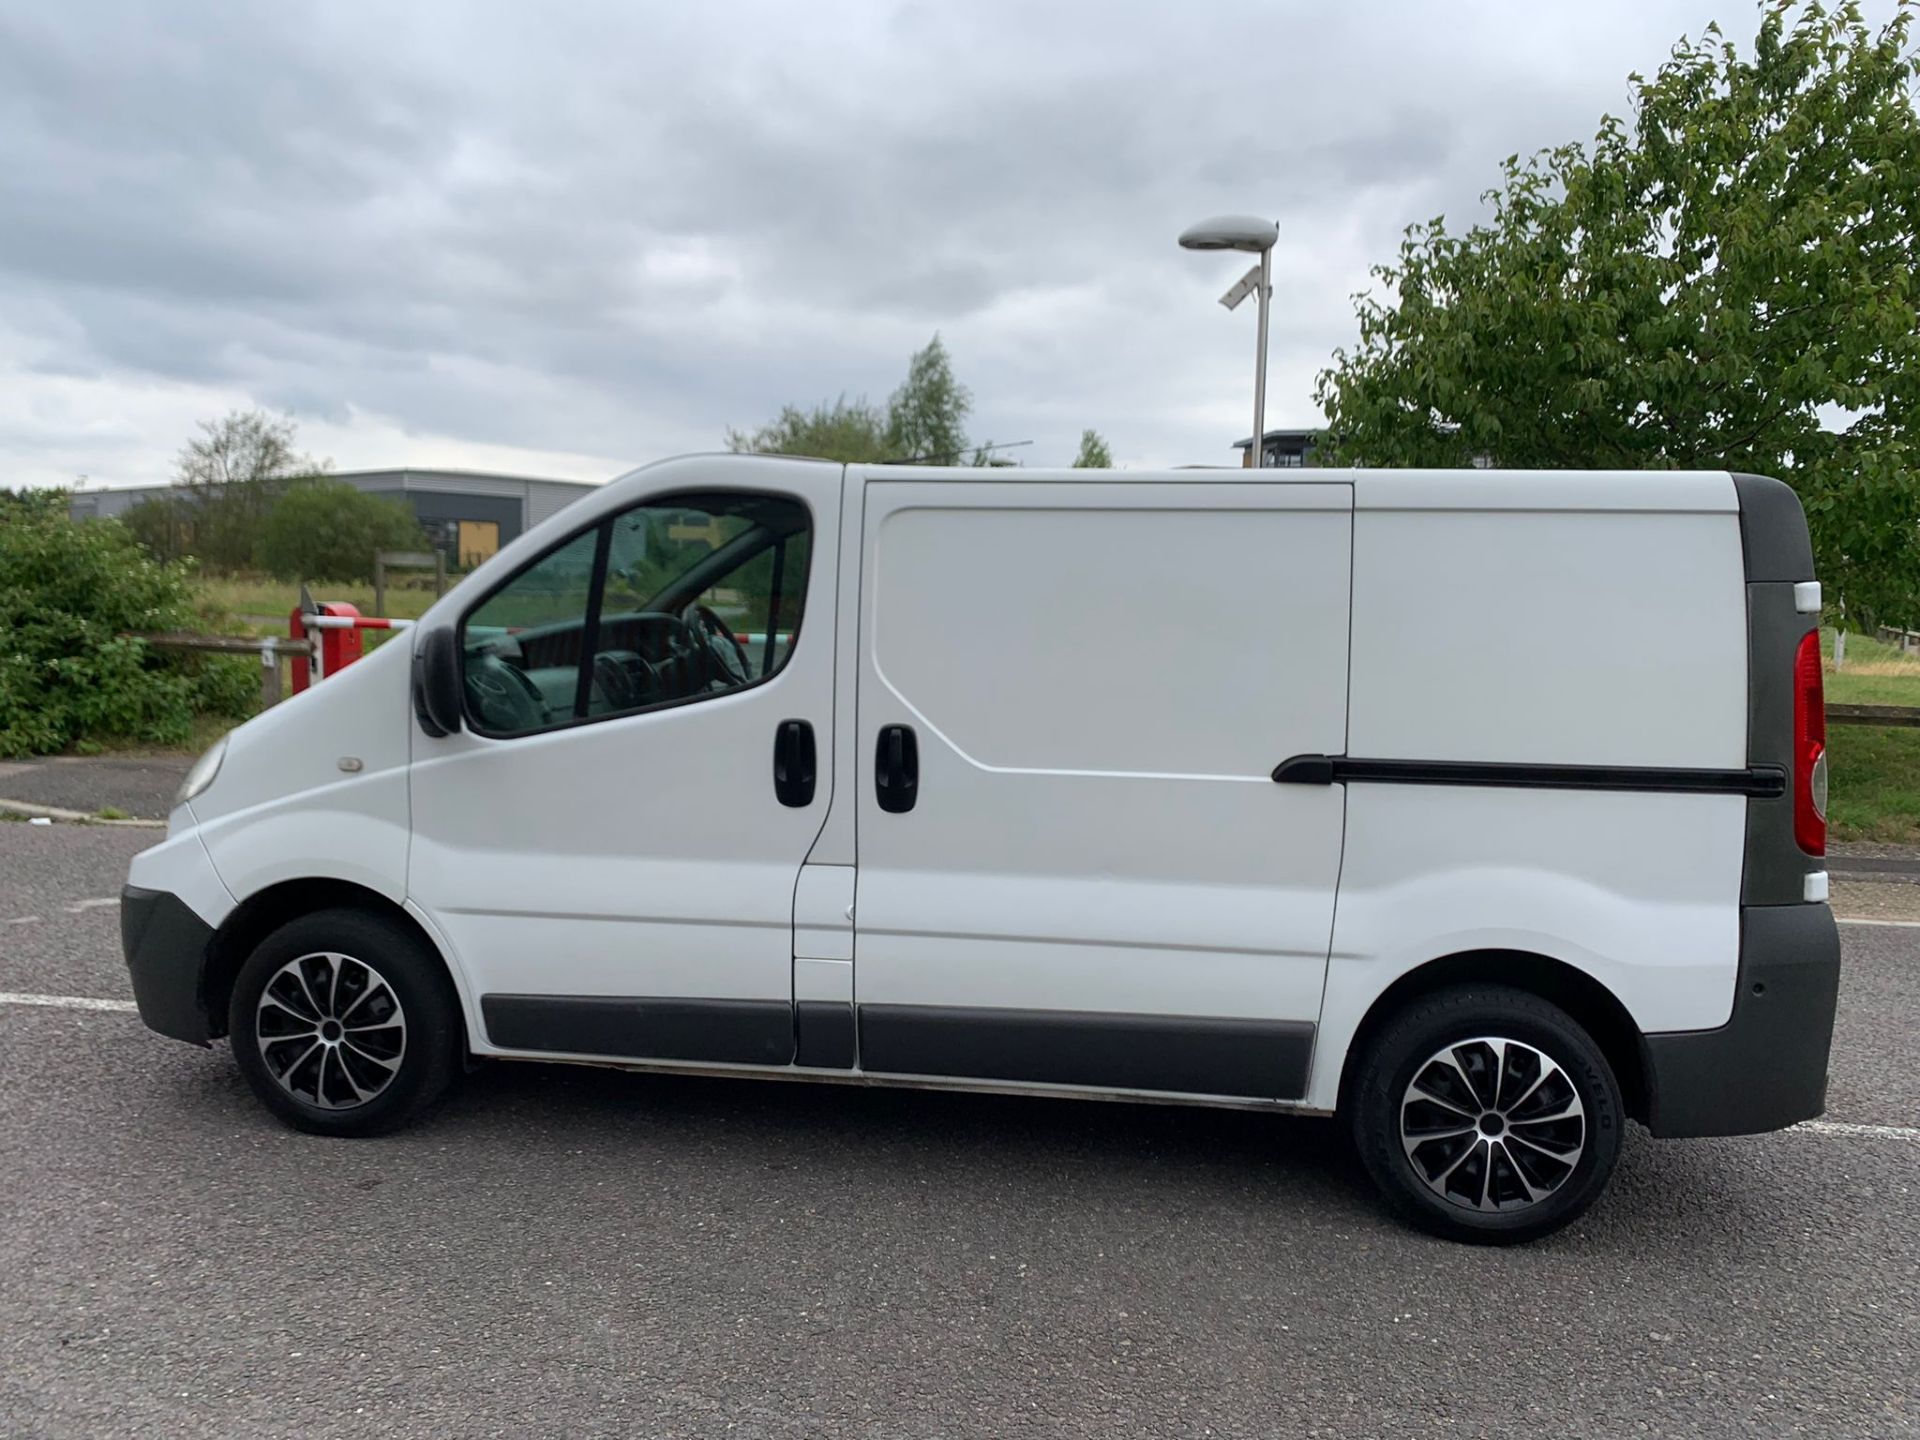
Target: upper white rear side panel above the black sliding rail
1575, 638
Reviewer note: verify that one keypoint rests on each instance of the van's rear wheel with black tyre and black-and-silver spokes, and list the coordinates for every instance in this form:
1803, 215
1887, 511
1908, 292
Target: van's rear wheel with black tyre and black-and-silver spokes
1487, 1115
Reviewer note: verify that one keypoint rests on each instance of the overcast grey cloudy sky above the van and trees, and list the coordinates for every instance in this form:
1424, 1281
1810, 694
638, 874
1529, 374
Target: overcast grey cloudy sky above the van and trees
567, 239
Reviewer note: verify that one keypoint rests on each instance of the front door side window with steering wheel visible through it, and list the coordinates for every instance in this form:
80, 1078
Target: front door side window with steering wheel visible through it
667, 604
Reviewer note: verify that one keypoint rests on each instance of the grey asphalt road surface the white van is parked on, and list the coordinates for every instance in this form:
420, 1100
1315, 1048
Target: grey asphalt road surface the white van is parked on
588, 1253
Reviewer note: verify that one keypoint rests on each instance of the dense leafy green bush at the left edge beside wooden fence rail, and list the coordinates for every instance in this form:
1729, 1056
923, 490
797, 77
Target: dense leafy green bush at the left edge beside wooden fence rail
70, 673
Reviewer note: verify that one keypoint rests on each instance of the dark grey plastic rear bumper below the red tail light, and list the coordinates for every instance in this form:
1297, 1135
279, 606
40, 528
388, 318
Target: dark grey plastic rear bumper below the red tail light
1765, 1068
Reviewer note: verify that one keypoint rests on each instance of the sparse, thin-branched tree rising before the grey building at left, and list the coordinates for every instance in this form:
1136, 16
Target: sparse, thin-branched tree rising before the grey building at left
233, 473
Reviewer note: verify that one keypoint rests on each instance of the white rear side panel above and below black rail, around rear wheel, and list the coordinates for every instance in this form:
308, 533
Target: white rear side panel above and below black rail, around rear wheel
1545, 636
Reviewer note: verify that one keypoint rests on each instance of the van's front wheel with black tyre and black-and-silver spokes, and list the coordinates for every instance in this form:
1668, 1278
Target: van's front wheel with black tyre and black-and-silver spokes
347, 1024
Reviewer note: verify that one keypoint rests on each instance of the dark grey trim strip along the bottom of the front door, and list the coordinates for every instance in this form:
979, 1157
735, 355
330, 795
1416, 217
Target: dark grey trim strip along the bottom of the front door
725, 1032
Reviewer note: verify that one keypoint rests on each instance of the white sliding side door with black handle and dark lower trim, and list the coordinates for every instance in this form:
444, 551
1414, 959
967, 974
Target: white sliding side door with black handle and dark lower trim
1072, 861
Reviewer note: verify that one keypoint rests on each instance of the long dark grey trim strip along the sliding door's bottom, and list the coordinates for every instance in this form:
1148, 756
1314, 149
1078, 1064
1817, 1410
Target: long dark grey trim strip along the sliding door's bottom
1188, 1055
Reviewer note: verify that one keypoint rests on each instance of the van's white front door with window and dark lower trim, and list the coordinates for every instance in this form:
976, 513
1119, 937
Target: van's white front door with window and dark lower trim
602, 846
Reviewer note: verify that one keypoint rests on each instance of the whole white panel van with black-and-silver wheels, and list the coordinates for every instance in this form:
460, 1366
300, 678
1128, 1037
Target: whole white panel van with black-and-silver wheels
1481, 809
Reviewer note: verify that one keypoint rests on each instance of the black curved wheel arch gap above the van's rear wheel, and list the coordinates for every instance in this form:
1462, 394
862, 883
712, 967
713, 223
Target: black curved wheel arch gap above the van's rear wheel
1585, 999
